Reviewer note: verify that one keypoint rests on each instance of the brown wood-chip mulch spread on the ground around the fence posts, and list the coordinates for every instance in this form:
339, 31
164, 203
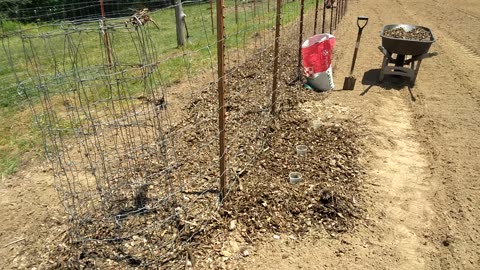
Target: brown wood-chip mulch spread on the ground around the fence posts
169, 232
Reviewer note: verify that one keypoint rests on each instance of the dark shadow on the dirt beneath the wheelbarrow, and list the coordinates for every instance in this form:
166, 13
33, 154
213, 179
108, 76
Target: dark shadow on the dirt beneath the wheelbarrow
370, 79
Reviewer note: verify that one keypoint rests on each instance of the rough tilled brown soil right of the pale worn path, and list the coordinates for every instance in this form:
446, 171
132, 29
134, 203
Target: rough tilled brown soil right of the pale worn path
449, 113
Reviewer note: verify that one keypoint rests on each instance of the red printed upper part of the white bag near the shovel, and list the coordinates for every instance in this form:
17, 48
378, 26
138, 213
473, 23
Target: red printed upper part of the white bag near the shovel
317, 54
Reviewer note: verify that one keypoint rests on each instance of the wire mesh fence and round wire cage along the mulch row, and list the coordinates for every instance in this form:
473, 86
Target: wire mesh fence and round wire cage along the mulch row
130, 121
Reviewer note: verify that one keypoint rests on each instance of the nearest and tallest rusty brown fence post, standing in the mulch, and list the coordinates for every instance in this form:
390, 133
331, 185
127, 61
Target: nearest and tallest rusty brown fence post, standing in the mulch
221, 96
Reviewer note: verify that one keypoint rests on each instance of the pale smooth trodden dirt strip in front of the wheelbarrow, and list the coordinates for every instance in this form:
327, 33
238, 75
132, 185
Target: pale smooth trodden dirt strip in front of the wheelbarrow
399, 167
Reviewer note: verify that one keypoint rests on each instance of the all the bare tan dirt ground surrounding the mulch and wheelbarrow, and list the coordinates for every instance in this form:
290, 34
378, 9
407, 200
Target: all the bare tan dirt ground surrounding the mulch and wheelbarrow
422, 189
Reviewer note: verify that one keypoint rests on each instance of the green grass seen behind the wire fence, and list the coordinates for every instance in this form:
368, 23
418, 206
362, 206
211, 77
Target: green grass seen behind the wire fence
49, 53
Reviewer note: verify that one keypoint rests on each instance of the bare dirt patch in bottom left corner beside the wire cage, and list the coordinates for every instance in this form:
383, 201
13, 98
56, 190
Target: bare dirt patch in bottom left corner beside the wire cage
31, 216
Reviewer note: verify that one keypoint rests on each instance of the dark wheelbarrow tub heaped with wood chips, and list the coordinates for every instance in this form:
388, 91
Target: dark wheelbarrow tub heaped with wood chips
405, 46
